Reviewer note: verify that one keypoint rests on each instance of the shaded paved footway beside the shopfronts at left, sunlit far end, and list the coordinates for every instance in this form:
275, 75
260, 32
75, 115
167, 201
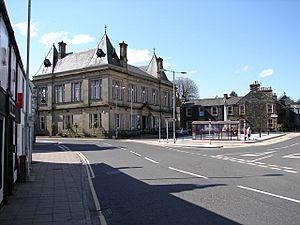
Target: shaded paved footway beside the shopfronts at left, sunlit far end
55, 193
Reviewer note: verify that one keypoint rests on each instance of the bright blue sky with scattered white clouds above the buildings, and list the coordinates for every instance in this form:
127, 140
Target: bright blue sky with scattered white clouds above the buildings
224, 45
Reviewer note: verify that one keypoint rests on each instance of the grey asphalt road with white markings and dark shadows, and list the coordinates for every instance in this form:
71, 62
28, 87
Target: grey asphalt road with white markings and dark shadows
140, 184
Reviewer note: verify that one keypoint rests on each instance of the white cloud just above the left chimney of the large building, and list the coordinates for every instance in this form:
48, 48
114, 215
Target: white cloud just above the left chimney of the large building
53, 37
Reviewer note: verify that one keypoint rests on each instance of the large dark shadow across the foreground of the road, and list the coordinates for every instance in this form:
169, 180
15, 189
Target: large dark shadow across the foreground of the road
128, 201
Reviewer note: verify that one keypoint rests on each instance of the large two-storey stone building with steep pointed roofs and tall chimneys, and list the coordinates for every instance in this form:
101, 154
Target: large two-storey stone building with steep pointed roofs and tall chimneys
96, 92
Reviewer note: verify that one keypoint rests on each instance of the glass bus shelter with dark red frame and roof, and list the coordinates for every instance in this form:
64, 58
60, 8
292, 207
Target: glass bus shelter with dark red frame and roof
216, 130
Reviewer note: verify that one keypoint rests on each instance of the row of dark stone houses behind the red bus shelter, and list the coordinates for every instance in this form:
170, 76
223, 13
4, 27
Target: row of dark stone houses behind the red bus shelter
257, 108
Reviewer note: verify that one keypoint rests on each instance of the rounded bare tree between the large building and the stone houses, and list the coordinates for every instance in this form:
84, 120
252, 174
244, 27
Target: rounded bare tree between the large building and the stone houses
186, 89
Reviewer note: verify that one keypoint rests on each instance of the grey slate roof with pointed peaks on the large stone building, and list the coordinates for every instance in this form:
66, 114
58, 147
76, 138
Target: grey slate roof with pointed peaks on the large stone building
89, 58
